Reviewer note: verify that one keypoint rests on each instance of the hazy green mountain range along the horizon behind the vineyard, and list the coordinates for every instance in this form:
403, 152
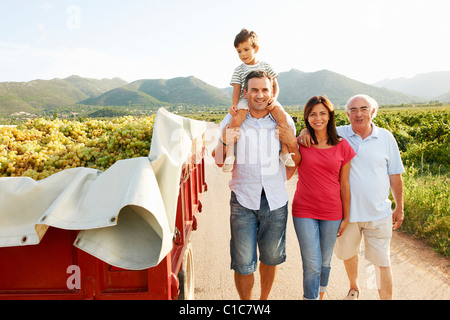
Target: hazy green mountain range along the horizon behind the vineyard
296, 87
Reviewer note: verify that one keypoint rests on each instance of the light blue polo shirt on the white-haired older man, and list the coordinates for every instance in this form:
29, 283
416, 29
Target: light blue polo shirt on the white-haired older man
376, 158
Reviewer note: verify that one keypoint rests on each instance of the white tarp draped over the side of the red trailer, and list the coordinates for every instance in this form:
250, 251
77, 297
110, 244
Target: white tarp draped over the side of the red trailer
126, 214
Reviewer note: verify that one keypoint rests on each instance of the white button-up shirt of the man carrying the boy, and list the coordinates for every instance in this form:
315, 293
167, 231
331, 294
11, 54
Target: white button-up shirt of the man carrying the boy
257, 163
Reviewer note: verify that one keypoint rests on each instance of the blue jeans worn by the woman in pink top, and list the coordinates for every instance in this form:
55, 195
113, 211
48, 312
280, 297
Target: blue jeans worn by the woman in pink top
317, 239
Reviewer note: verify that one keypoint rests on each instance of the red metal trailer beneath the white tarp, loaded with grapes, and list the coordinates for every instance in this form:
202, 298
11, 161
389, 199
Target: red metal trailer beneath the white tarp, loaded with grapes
56, 269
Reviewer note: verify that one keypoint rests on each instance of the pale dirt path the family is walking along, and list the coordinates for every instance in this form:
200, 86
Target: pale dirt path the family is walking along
418, 272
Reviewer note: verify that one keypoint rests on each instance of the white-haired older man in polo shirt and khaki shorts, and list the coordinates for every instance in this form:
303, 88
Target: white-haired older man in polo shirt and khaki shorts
376, 169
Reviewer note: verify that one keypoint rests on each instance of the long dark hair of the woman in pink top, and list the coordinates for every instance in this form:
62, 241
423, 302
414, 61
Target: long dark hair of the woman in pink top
333, 137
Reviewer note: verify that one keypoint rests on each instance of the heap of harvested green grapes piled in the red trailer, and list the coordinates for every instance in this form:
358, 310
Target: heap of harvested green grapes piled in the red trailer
42, 147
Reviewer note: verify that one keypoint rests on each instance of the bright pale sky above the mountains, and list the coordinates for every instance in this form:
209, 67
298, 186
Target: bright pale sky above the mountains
367, 40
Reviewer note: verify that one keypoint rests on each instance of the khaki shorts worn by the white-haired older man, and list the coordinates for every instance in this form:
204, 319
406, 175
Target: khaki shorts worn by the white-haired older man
377, 241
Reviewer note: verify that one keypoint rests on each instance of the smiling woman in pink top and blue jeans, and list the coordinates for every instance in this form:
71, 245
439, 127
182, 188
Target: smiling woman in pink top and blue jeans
321, 204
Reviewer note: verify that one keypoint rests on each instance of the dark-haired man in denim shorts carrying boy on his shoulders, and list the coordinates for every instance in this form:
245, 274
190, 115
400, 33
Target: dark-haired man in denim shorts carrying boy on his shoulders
258, 193
